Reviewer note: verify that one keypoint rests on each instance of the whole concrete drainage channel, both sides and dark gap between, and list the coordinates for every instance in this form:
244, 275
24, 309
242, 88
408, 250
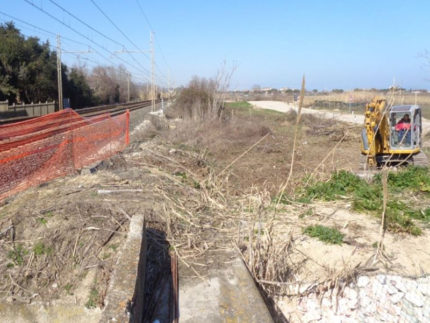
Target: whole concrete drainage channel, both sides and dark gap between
145, 285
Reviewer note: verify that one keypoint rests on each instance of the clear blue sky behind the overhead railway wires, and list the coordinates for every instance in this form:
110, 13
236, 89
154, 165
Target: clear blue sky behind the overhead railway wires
337, 44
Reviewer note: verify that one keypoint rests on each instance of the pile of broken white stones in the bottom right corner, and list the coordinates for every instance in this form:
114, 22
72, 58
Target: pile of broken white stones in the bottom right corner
380, 298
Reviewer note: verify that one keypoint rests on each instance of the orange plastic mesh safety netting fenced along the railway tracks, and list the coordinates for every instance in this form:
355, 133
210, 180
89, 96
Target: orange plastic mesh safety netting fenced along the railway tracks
44, 148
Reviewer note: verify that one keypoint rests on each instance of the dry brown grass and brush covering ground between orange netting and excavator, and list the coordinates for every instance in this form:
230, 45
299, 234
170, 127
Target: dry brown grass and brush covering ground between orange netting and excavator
208, 180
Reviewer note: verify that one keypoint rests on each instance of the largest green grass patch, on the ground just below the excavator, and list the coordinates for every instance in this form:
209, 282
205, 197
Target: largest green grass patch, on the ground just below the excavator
368, 196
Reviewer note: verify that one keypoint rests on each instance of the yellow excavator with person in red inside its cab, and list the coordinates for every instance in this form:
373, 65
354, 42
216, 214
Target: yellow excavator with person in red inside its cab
391, 135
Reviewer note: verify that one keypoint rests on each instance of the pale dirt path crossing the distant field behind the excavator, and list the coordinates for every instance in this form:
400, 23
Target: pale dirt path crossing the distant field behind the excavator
351, 118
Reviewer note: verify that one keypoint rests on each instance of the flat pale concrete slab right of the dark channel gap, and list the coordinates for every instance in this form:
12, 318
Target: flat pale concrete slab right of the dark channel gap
228, 295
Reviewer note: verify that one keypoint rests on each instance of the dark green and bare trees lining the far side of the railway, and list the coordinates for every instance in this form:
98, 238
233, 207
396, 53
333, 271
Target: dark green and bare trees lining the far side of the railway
28, 73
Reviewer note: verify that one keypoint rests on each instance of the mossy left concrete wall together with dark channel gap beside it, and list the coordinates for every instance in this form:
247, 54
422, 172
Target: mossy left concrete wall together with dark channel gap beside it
144, 285
